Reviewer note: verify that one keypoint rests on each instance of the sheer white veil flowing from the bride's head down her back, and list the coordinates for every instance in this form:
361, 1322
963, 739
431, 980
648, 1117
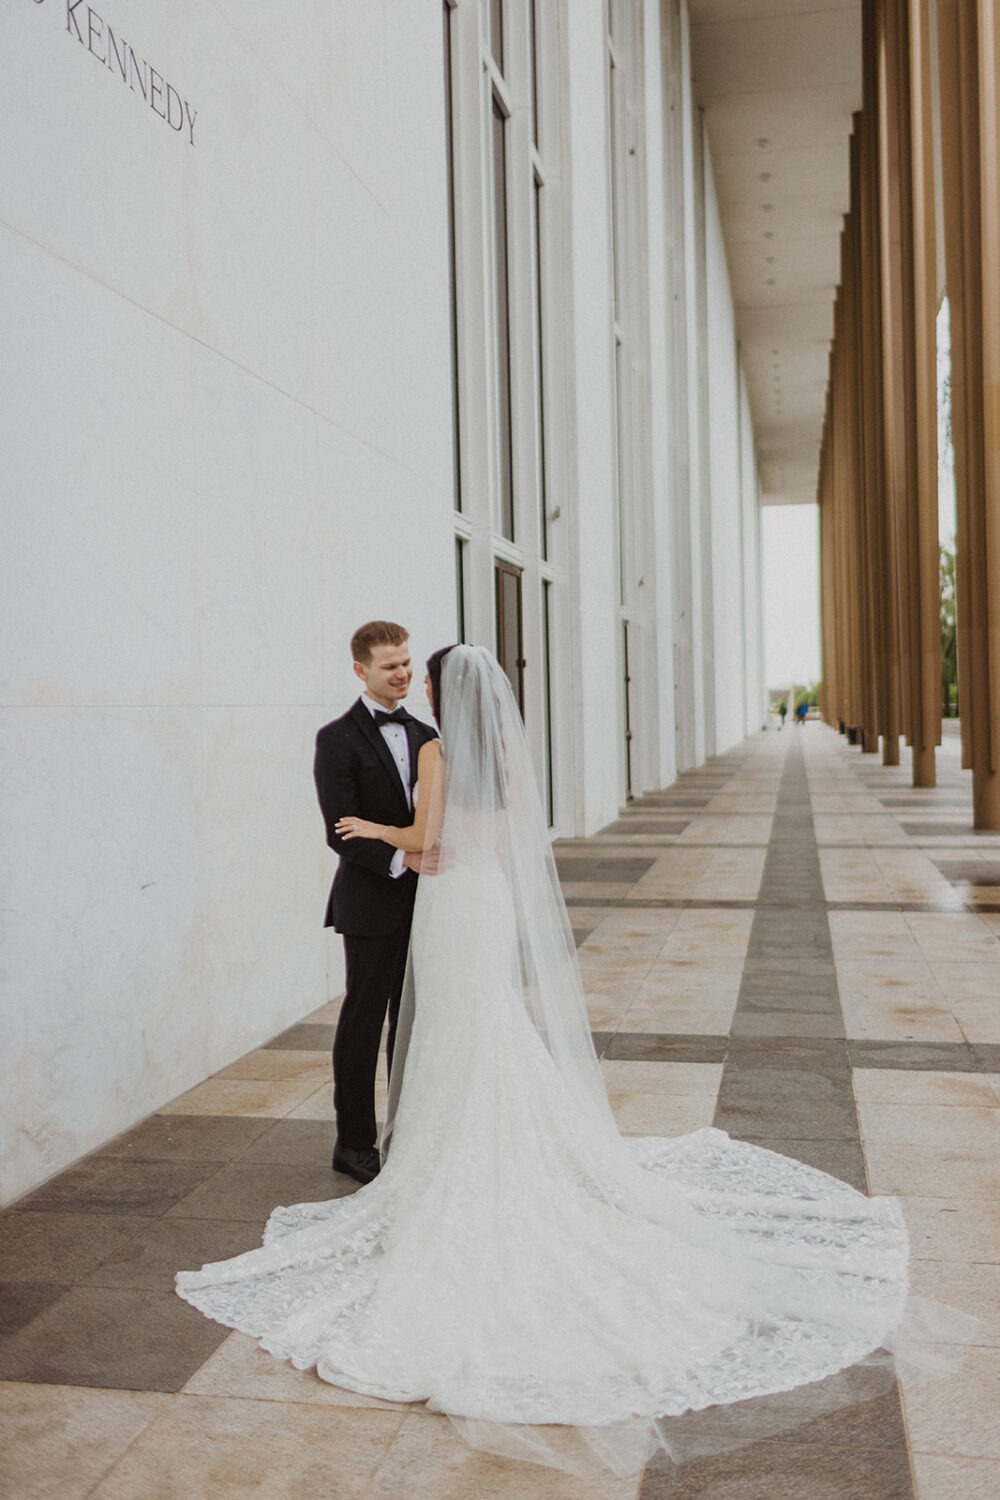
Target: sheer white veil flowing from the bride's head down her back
490, 820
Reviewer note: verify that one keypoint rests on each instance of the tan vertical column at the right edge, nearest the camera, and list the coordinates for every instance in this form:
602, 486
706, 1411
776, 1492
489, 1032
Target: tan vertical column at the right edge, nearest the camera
969, 64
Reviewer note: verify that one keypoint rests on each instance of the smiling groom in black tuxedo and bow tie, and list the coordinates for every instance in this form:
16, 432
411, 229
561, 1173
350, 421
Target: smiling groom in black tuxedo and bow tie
367, 766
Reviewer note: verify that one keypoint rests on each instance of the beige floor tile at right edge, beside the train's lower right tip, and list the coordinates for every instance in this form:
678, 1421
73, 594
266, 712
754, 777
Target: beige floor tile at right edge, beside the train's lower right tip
956, 1414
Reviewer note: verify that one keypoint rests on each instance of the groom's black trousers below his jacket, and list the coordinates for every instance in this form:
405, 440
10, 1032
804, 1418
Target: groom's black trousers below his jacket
376, 970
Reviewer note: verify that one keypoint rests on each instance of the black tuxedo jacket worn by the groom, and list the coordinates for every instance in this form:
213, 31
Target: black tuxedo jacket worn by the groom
358, 778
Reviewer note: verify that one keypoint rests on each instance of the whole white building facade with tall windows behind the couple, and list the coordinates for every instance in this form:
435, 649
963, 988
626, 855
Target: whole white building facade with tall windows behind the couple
400, 308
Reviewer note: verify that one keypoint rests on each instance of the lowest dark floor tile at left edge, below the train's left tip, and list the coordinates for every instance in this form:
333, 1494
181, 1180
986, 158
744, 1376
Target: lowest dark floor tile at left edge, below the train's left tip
112, 1337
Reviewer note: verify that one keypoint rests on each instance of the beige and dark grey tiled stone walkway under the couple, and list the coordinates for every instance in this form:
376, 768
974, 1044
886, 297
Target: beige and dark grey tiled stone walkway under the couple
789, 944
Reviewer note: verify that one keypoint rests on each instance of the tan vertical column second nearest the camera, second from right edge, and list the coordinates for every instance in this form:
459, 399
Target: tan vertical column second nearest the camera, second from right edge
909, 368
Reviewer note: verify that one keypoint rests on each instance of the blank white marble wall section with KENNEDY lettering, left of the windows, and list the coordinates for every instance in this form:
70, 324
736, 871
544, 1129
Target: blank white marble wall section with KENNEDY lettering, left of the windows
226, 433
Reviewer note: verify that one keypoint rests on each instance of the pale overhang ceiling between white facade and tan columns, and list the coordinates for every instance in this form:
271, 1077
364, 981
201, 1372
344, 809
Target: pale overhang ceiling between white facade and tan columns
779, 82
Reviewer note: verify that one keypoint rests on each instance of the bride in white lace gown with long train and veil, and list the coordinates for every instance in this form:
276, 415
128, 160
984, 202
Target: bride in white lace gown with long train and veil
518, 1262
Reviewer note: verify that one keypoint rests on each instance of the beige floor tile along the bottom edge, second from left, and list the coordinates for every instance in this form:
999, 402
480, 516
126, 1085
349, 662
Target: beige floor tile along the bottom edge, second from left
209, 1447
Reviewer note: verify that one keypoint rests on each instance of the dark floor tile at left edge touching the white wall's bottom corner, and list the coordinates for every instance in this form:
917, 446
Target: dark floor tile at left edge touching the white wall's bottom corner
59, 1249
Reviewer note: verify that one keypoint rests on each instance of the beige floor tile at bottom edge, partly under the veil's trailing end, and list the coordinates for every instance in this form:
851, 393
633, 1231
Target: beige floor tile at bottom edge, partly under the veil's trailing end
431, 1462
